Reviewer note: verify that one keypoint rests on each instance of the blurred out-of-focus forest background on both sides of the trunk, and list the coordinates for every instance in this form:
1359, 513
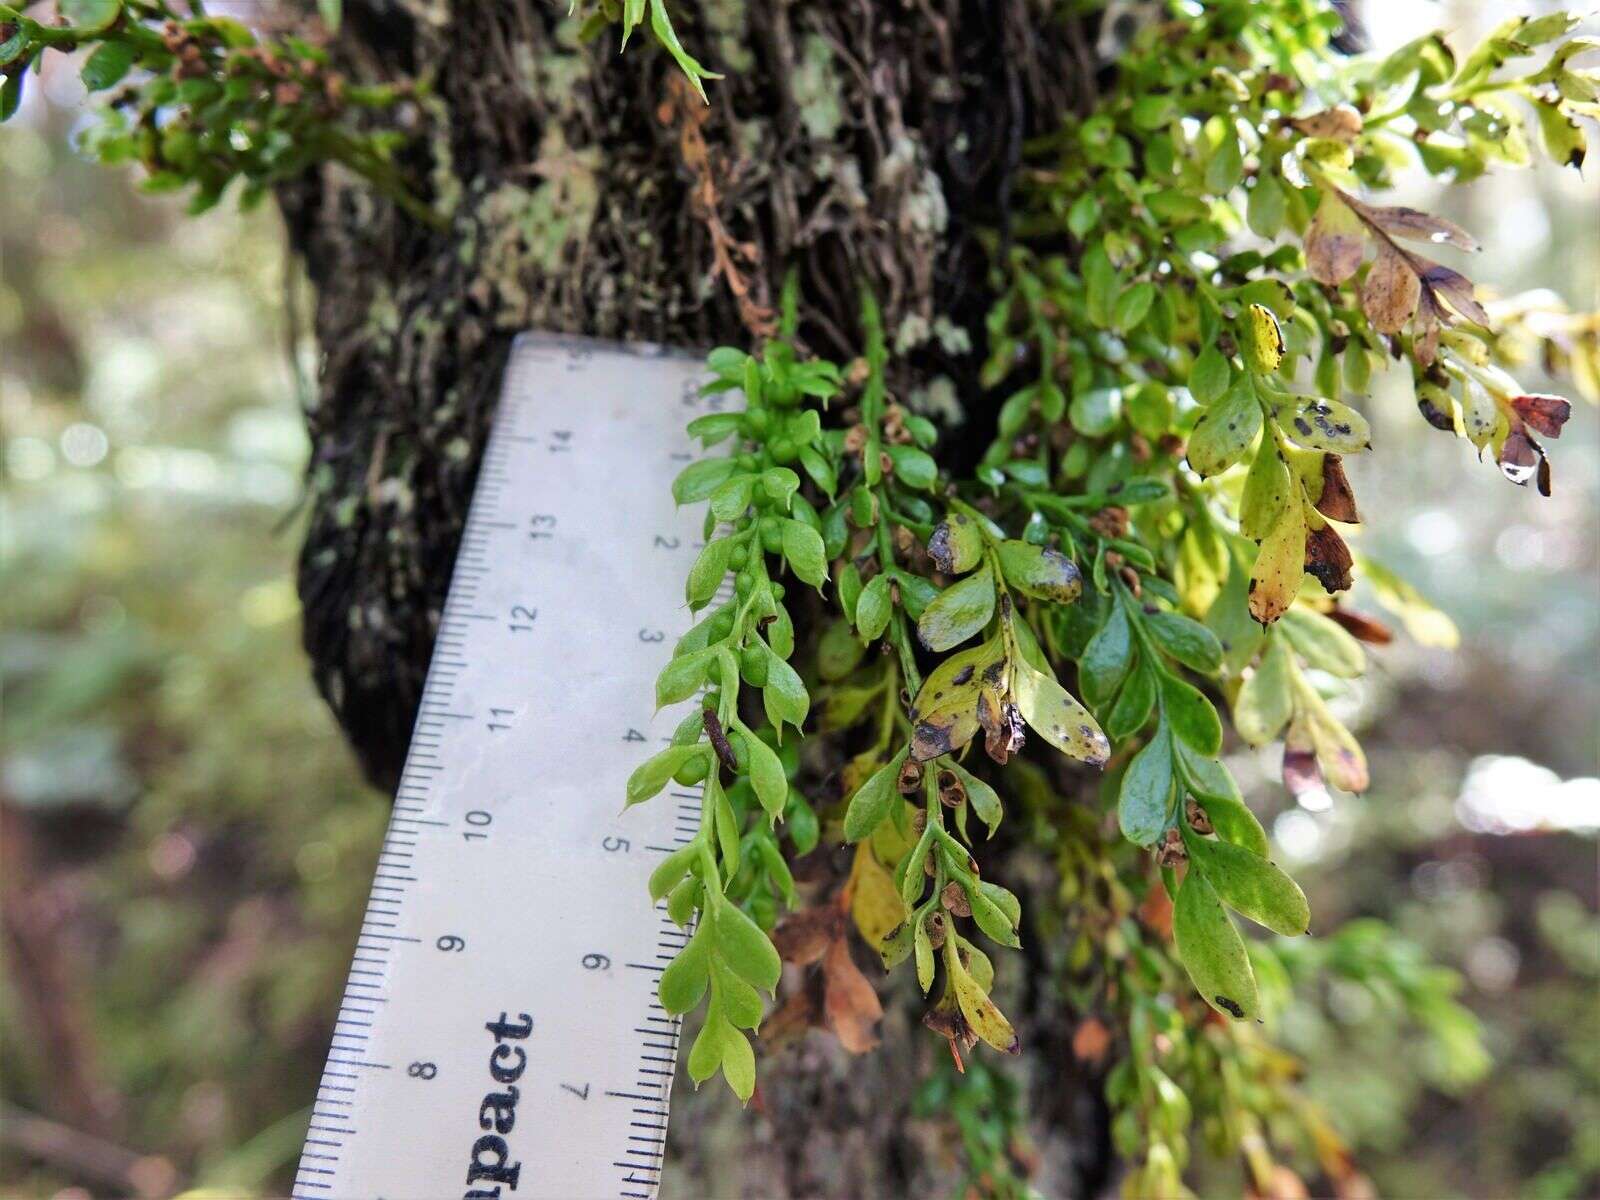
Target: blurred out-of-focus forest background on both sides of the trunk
186, 842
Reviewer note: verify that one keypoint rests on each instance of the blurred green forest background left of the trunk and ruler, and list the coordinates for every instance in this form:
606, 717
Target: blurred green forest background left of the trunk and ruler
198, 841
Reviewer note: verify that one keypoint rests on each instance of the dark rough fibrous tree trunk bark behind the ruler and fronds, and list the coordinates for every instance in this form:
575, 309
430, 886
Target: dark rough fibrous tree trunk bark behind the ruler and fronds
858, 142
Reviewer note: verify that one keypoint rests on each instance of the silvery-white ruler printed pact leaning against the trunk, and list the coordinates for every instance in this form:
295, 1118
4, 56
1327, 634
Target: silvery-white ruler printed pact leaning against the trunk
500, 1036
